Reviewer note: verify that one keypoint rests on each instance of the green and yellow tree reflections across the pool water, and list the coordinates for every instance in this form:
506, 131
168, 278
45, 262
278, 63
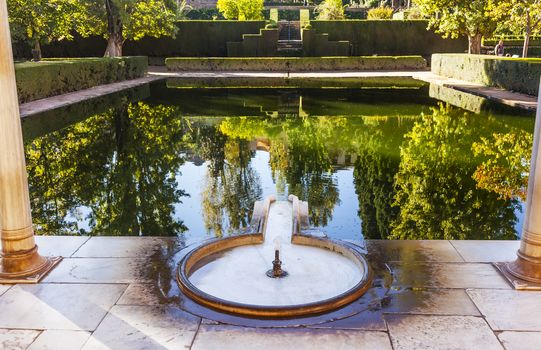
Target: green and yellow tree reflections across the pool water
445, 174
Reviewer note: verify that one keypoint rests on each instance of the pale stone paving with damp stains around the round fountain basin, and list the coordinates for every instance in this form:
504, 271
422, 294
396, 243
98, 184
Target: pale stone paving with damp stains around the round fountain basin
108, 293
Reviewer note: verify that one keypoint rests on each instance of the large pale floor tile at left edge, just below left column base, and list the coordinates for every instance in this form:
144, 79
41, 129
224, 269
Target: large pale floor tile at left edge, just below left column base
57, 306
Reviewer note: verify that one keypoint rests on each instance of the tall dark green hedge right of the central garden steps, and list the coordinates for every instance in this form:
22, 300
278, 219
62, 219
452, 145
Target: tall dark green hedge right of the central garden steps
389, 37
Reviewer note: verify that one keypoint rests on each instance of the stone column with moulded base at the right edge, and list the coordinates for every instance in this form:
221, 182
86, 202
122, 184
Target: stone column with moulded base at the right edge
525, 271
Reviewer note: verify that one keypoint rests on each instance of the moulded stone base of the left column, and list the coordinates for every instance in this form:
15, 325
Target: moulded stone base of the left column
25, 267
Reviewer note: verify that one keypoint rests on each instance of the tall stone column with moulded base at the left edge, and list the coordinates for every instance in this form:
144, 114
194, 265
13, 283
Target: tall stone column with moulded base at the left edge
19, 259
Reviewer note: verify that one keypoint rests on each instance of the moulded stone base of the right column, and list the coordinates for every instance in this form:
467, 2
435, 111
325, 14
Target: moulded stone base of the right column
521, 274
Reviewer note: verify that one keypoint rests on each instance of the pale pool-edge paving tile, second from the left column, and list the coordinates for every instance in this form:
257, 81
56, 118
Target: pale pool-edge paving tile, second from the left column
121, 247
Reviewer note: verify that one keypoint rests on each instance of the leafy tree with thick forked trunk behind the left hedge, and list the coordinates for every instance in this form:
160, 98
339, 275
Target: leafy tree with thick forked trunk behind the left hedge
121, 20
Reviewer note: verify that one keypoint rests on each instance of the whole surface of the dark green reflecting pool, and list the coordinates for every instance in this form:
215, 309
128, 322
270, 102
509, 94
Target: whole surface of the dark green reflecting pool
373, 163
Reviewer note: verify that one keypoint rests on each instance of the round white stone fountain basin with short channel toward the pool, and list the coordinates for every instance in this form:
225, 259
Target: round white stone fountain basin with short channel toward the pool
230, 274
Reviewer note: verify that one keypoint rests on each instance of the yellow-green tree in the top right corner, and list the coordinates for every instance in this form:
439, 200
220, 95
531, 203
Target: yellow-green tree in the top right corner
523, 16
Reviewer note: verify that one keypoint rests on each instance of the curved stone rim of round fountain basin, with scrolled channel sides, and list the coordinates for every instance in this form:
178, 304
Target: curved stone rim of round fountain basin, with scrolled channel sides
189, 264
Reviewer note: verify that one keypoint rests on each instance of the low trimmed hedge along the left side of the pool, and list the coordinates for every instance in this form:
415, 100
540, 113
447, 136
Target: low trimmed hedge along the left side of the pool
53, 77
